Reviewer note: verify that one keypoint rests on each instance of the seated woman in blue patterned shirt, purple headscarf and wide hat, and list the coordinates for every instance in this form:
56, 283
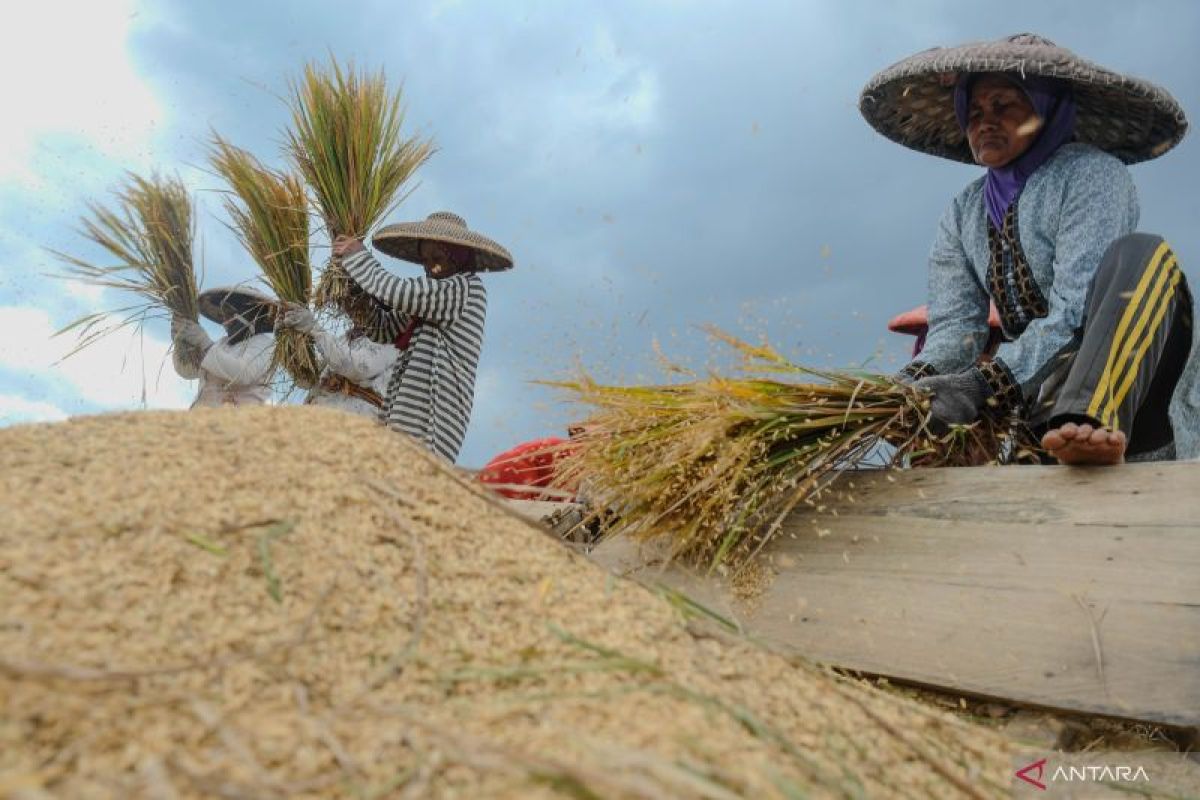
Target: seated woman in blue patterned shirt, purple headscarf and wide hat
1099, 357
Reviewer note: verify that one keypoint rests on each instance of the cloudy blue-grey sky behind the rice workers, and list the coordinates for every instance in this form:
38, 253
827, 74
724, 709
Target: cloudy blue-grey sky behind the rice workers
652, 166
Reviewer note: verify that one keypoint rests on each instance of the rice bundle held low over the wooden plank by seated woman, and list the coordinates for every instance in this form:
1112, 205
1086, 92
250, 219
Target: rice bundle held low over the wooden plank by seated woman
717, 465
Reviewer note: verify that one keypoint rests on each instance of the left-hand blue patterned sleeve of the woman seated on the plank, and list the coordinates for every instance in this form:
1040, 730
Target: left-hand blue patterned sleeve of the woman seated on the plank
958, 305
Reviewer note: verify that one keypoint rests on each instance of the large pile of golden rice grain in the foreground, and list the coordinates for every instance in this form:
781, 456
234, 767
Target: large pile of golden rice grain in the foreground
291, 603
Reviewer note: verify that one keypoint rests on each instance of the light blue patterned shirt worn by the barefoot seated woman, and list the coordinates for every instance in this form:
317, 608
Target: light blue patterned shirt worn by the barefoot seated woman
1072, 209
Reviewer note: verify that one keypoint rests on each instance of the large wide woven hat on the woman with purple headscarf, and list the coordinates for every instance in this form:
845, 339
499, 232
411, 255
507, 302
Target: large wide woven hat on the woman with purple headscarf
913, 103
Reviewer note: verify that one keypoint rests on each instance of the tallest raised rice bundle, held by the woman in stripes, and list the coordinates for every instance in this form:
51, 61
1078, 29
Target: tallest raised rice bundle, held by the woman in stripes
346, 141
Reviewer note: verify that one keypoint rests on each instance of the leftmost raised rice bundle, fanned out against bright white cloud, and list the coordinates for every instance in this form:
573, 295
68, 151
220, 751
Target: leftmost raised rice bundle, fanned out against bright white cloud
149, 233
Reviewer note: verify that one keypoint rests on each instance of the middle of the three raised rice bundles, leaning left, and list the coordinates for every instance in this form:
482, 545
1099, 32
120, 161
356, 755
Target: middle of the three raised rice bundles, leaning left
272, 221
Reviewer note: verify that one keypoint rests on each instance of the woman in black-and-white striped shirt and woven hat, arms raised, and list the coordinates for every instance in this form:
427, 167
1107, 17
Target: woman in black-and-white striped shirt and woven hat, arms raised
436, 321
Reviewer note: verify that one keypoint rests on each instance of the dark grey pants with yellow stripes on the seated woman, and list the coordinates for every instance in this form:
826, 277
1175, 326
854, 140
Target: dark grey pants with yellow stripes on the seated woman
1123, 369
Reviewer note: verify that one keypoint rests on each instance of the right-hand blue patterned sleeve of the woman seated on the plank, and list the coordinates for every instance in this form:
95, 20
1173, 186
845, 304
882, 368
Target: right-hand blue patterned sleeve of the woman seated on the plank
1100, 206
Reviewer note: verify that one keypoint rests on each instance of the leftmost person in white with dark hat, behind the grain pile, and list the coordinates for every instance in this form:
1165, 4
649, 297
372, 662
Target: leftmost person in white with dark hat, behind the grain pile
236, 370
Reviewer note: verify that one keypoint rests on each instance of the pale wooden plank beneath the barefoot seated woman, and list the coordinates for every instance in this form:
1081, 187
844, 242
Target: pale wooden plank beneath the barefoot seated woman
1060, 587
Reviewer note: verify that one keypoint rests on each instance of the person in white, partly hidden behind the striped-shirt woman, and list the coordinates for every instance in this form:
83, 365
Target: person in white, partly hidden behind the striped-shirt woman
356, 370
